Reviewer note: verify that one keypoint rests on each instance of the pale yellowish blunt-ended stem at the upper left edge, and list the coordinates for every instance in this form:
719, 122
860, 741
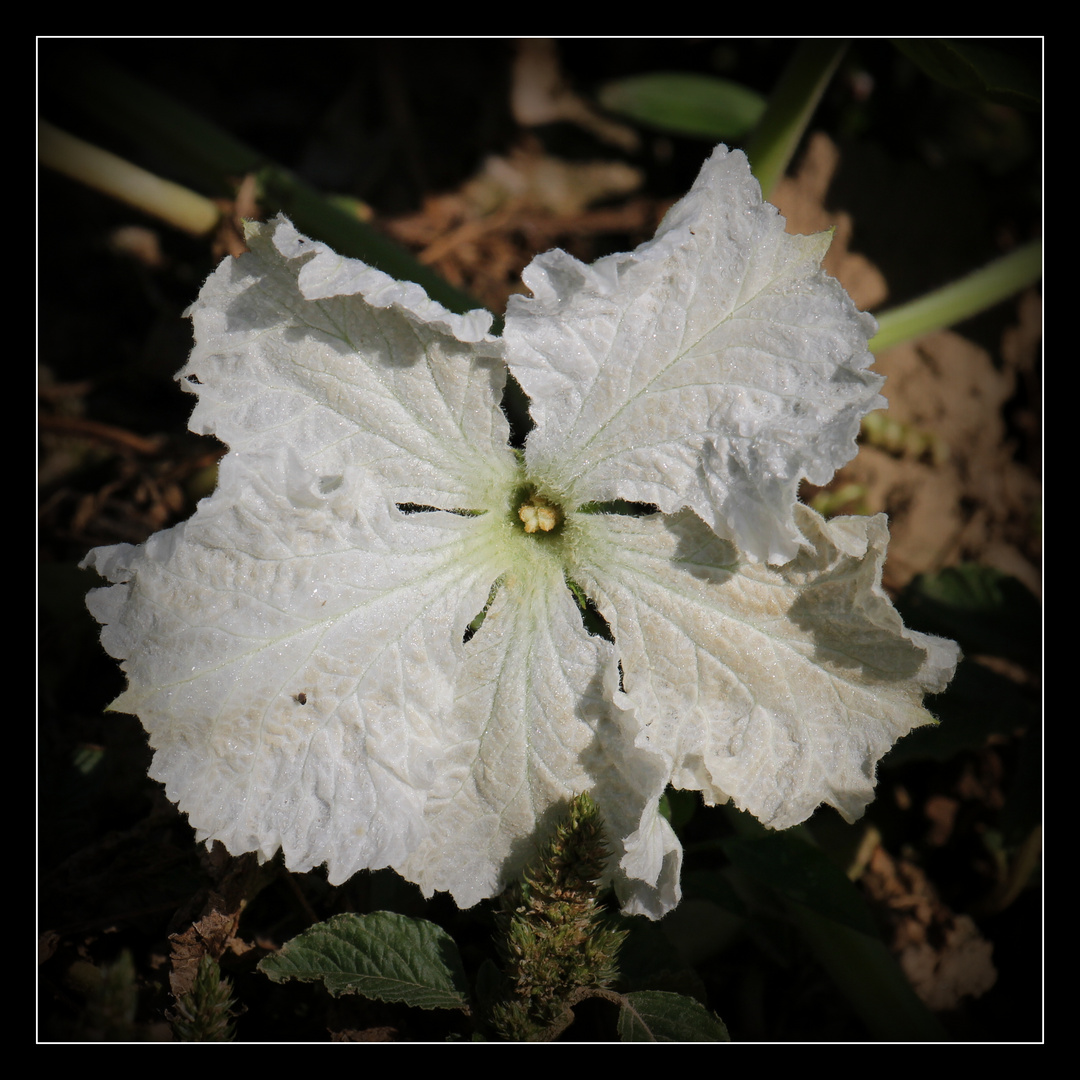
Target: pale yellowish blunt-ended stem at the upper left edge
120, 180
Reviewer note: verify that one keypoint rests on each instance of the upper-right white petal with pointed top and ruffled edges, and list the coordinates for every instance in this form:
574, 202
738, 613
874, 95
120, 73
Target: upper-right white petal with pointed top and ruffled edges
714, 368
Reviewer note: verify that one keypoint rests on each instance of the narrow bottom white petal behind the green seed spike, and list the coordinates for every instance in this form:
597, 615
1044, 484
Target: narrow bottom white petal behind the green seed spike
534, 728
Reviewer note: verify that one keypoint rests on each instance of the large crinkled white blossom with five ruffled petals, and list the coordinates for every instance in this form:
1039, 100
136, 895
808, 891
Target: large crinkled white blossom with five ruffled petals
307, 653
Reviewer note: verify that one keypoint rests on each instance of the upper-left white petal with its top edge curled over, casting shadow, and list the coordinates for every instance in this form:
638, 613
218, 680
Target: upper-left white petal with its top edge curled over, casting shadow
300, 348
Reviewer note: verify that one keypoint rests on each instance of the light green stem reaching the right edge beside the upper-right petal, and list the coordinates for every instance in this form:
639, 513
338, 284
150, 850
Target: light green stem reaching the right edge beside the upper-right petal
962, 300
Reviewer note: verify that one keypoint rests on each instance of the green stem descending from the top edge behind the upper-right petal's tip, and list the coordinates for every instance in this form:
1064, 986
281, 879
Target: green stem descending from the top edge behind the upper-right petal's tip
791, 106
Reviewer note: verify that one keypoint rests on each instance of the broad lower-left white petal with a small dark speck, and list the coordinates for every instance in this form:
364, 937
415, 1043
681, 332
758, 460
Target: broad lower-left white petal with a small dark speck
294, 667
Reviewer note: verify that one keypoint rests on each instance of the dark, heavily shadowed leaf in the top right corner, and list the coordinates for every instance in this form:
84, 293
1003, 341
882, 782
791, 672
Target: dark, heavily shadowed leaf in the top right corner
975, 69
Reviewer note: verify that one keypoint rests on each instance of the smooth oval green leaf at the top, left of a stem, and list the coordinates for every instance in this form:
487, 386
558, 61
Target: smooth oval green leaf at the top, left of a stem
686, 104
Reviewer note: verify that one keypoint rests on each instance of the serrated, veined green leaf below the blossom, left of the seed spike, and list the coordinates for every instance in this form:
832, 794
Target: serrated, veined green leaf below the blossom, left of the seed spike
384, 956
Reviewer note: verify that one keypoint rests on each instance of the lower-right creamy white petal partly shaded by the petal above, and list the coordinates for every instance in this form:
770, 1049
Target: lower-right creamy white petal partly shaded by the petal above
778, 688
